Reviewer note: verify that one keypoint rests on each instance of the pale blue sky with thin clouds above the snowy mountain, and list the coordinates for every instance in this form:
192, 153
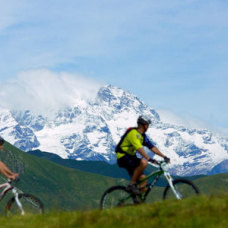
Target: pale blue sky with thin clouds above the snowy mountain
172, 54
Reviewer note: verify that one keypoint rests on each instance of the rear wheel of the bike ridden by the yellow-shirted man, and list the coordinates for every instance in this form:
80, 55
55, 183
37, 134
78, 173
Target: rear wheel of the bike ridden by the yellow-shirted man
117, 196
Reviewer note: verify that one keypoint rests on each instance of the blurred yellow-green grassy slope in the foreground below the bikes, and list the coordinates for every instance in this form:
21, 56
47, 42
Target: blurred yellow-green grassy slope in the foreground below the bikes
196, 212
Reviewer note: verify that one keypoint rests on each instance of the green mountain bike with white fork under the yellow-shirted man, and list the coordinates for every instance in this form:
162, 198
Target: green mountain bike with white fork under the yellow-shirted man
117, 196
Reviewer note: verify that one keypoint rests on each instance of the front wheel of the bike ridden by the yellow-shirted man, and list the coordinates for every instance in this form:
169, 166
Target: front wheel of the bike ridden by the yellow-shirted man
184, 187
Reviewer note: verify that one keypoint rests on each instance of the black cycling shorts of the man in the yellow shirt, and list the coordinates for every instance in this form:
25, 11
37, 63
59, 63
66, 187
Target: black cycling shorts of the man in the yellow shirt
130, 163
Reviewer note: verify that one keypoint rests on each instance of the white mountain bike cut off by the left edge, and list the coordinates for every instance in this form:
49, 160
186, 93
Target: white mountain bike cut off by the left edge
21, 203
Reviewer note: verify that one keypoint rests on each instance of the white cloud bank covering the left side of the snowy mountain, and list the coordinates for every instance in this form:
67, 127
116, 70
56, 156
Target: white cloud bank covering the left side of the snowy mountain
43, 90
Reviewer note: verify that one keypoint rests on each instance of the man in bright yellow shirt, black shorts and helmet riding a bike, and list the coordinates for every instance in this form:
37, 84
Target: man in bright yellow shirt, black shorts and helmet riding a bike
132, 141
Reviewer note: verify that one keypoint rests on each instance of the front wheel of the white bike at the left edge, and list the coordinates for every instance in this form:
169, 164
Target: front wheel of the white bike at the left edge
30, 204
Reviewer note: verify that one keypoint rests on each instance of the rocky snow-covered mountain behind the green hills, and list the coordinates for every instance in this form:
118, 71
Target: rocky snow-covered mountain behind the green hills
90, 131
